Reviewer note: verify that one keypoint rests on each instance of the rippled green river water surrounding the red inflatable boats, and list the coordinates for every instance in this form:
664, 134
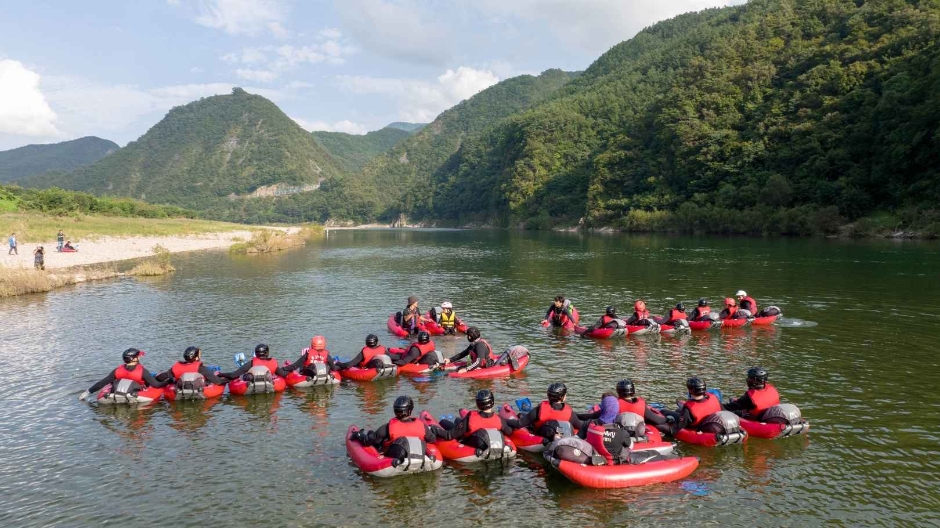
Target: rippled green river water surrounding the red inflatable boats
857, 354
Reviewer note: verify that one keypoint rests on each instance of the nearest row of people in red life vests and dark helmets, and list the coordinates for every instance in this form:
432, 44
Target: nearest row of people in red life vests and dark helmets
611, 428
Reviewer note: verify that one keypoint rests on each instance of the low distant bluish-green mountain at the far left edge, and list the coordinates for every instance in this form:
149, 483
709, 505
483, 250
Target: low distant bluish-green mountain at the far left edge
36, 159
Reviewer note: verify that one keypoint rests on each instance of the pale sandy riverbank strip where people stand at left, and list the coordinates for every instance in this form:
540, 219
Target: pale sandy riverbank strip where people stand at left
112, 249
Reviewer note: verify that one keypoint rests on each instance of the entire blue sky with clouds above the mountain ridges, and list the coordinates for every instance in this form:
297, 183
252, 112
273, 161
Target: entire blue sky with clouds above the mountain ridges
114, 68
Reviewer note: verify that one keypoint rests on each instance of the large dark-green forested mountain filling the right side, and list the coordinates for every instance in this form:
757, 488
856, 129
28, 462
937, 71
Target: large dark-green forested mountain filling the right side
777, 116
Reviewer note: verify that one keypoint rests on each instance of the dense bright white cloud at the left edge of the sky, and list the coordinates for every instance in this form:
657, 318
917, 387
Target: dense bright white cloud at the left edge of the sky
23, 108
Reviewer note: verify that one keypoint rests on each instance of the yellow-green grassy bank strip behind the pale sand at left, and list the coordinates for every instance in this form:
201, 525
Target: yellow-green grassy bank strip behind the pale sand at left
37, 227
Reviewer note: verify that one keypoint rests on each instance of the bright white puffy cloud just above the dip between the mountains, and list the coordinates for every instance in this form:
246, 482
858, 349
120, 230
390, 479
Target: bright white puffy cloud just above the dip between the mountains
421, 101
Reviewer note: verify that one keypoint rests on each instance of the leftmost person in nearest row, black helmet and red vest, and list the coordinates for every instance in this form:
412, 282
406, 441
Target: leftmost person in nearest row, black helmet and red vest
399, 436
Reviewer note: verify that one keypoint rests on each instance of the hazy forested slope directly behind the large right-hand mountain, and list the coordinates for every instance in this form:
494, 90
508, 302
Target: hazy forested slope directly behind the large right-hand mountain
403, 175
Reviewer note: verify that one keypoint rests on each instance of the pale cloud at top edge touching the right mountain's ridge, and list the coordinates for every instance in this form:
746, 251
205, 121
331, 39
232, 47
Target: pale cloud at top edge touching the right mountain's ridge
591, 25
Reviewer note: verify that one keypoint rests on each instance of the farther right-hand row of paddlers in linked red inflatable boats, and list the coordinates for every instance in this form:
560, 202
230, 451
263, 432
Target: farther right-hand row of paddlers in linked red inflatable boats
562, 313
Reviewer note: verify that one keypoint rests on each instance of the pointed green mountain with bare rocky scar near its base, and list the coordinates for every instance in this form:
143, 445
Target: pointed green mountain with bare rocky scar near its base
210, 155
